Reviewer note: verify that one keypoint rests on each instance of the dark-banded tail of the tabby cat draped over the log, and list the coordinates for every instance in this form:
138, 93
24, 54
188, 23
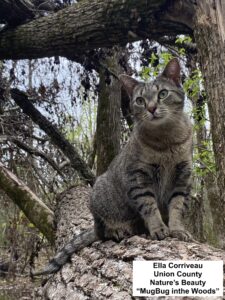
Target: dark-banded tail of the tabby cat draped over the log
78, 242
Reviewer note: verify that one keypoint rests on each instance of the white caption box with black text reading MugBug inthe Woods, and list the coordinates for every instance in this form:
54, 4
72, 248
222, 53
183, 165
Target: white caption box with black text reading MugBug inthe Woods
177, 278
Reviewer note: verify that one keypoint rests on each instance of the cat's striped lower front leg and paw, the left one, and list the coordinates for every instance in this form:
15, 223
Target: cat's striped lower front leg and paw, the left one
145, 204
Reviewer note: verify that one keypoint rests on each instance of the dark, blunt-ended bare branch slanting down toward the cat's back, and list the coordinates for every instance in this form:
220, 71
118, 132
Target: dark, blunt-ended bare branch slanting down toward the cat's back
57, 138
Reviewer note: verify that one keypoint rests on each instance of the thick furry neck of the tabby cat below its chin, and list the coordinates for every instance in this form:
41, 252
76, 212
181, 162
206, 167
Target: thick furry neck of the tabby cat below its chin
163, 136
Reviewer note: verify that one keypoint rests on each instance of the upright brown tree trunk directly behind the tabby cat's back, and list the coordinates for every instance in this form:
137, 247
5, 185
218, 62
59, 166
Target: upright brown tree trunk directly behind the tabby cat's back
108, 115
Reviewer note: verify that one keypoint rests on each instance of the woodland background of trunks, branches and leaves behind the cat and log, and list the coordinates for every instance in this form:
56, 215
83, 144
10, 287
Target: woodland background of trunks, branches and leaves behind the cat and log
63, 115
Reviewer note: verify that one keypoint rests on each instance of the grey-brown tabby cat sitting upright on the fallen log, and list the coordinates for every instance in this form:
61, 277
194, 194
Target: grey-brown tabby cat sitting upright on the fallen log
146, 187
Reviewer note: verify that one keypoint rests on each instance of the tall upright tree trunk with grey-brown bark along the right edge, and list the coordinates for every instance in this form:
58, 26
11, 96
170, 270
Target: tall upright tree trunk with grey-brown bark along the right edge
210, 37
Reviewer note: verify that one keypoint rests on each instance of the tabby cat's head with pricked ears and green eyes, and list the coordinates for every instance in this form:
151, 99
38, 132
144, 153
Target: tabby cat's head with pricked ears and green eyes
157, 102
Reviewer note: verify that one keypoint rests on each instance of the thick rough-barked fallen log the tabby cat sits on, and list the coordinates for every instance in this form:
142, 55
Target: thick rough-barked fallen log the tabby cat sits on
104, 270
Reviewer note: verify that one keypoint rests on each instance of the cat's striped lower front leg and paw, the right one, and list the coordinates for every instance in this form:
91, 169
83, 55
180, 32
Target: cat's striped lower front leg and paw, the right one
176, 216
